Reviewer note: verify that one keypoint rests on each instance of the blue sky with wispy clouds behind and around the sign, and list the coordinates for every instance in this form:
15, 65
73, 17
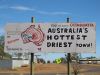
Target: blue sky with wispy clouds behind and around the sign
51, 11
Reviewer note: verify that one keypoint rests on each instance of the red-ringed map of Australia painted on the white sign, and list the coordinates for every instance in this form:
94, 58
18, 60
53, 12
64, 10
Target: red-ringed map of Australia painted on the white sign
34, 35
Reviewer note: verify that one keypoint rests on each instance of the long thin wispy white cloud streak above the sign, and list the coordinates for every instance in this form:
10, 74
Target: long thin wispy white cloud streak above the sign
24, 8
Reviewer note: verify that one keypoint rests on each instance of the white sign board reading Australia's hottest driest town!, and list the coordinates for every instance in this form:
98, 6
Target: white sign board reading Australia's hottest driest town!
50, 37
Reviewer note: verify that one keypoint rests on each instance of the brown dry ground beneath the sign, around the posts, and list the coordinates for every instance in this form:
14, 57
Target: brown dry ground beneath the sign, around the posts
85, 69
